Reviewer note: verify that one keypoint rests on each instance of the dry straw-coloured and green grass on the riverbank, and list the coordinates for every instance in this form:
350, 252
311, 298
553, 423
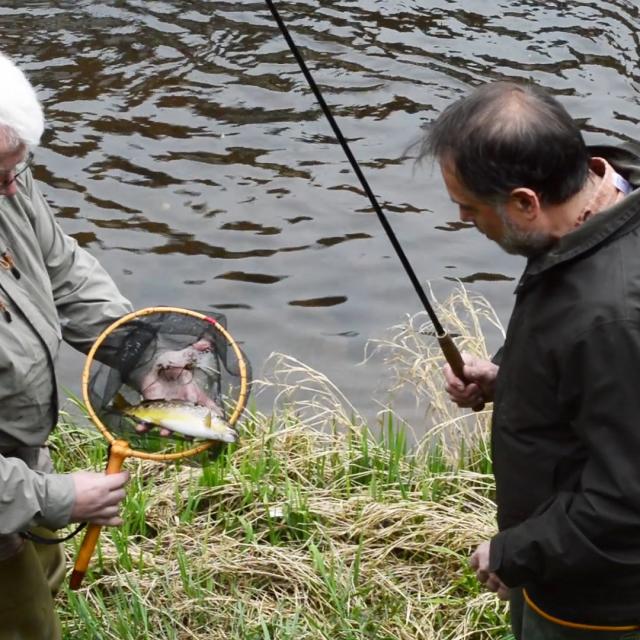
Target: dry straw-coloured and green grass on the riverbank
314, 526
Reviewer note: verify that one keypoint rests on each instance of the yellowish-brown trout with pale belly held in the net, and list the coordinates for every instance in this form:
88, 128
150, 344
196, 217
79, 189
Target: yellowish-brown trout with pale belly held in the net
194, 420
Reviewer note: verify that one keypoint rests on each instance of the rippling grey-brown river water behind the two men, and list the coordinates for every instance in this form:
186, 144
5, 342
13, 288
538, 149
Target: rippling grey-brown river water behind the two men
184, 149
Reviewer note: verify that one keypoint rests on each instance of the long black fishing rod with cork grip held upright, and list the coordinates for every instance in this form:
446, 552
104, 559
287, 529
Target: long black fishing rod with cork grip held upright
448, 347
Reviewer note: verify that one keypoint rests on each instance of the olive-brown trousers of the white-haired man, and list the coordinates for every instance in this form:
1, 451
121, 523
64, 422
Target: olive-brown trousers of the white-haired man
28, 582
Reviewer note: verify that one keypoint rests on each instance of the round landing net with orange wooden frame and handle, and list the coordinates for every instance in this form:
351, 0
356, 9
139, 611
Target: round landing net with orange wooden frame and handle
162, 384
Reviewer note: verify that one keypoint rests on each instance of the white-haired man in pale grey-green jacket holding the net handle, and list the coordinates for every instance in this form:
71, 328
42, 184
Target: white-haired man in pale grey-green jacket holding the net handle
50, 289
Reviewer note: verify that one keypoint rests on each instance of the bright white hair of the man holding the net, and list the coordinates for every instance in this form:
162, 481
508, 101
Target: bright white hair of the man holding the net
21, 117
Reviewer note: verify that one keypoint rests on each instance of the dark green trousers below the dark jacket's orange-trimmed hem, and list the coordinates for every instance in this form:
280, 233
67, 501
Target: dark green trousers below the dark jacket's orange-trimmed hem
526, 624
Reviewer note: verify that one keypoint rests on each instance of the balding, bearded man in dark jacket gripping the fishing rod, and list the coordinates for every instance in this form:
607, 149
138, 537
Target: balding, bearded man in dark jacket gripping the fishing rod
566, 432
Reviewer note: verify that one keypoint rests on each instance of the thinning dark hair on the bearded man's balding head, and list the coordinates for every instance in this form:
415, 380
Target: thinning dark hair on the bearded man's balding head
504, 136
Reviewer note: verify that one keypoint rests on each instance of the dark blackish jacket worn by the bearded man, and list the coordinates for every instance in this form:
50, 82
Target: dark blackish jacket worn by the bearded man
566, 422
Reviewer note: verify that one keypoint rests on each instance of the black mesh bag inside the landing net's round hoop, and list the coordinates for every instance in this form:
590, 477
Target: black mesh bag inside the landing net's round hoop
170, 360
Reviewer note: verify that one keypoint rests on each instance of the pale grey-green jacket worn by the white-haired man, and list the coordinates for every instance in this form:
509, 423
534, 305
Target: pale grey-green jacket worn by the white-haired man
57, 291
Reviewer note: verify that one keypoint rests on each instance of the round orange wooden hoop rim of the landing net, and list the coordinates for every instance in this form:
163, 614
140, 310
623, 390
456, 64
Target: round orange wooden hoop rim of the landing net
164, 457
